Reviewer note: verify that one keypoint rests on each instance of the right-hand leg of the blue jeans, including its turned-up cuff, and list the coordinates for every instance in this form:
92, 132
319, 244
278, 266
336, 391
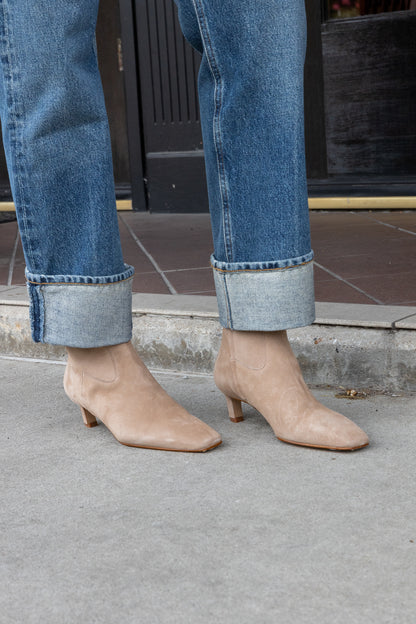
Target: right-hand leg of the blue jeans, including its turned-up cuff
251, 100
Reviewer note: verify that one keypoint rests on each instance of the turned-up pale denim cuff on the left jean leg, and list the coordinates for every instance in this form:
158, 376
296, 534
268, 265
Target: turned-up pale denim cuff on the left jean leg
81, 311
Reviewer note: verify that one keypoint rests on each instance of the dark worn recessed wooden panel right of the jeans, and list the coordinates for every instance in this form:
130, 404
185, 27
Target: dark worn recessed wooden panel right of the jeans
370, 94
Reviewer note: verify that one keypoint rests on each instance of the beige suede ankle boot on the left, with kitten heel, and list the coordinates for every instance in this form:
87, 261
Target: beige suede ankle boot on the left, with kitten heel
112, 384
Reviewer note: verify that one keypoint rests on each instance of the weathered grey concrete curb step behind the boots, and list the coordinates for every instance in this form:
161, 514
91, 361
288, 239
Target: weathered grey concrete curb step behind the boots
349, 345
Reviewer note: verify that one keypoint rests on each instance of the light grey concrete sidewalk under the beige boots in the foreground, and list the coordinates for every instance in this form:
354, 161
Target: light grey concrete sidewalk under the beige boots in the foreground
255, 531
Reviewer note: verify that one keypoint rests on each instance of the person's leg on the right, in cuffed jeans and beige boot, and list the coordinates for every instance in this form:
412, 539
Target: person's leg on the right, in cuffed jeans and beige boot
251, 101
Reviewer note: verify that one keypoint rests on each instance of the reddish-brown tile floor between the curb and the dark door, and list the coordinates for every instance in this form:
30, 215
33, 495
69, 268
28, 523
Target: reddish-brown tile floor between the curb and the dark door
360, 257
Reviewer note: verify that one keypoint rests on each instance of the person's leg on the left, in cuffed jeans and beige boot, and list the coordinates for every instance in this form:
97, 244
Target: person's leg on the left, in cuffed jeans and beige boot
58, 150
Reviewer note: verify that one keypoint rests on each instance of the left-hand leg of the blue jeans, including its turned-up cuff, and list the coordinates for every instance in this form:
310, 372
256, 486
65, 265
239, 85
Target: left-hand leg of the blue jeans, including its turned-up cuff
58, 151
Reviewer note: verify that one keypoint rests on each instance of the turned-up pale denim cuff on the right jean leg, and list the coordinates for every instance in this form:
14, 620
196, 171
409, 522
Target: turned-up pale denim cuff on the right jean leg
265, 296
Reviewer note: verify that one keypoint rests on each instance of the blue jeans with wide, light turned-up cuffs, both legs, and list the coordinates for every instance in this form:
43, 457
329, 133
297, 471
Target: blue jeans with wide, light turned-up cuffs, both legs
57, 144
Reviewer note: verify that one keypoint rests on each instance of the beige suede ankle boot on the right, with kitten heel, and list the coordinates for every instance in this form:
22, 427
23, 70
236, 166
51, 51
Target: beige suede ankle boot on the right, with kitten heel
260, 368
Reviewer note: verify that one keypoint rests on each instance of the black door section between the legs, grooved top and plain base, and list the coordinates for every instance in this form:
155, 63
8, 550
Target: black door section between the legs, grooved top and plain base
168, 75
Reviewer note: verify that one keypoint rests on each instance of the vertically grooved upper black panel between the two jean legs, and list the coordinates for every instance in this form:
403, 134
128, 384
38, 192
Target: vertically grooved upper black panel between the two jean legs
168, 68
